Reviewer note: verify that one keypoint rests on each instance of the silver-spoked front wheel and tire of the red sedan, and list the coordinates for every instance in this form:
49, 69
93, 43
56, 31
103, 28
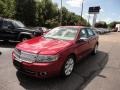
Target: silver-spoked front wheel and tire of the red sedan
68, 66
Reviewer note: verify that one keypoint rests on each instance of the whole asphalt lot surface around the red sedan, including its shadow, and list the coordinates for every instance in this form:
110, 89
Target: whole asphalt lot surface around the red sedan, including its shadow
99, 72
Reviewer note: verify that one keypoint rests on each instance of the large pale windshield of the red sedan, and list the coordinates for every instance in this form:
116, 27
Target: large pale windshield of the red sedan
64, 33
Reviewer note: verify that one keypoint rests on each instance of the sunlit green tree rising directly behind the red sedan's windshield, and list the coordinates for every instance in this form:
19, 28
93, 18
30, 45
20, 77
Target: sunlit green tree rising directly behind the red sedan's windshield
47, 13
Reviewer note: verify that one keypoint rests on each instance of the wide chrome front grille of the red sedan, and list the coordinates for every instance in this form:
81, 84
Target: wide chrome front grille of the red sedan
24, 56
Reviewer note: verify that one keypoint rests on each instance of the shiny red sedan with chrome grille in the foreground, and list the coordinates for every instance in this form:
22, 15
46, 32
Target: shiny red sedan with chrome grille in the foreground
56, 52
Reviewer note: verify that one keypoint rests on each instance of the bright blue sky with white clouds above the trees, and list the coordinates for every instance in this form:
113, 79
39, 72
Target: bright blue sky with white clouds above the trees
110, 9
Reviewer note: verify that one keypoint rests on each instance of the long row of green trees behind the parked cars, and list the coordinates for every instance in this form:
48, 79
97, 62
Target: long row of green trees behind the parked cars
38, 13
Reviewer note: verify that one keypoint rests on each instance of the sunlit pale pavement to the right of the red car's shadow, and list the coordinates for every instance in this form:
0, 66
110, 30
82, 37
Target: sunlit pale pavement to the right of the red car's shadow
111, 73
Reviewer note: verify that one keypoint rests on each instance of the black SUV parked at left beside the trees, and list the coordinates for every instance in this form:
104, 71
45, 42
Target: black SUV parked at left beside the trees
15, 30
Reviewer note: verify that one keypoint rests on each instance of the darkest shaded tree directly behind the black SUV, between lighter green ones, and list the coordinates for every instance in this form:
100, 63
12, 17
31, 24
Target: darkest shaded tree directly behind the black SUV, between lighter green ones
26, 11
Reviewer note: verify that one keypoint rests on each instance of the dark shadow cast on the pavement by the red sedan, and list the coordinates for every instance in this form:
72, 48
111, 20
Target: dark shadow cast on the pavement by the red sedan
84, 73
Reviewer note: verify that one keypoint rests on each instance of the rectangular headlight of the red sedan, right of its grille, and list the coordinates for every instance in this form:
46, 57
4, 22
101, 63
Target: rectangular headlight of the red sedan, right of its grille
46, 58
